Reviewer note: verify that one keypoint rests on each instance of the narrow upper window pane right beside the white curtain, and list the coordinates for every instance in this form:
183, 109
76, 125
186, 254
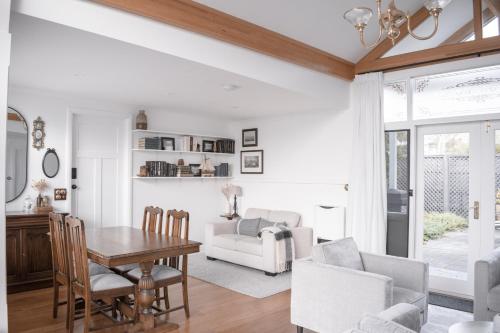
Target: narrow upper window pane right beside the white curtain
395, 102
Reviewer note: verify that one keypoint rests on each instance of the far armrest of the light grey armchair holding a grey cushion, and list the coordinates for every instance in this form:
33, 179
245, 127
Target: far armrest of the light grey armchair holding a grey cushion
406, 273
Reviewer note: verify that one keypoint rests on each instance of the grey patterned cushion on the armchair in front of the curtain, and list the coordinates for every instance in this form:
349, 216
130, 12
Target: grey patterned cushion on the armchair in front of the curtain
342, 252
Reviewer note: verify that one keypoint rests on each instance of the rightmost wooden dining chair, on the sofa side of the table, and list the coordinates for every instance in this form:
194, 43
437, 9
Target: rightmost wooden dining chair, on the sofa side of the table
172, 270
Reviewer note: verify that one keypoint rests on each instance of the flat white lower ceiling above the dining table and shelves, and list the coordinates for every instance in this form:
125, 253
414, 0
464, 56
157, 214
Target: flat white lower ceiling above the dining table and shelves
54, 57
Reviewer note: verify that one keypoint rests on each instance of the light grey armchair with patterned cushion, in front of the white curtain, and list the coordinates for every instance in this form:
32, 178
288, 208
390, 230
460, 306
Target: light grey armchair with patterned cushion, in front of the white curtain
329, 298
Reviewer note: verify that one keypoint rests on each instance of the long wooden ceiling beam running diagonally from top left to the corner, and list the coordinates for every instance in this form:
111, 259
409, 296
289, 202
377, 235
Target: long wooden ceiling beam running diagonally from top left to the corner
195, 17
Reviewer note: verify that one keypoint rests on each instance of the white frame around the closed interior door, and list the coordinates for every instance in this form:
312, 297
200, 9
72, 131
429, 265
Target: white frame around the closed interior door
126, 119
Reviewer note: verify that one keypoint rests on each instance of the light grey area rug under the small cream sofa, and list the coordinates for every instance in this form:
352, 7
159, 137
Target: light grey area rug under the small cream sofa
244, 280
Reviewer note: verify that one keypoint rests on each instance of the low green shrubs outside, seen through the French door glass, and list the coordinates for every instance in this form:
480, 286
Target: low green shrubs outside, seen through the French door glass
437, 224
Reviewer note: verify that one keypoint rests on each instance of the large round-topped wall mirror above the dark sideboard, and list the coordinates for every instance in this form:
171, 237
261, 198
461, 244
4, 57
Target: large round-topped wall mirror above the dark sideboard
16, 163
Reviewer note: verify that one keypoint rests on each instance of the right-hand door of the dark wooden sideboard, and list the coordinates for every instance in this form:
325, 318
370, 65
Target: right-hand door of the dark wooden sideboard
36, 253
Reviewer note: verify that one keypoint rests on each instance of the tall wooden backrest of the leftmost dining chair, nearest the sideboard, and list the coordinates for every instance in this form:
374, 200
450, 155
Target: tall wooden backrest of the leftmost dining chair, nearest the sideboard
59, 245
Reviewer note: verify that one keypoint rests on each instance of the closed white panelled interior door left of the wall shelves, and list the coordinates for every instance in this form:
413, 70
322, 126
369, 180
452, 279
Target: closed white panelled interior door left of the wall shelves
98, 156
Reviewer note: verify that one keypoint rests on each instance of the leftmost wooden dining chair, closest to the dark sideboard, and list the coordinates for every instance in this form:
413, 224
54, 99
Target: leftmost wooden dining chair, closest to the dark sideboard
60, 266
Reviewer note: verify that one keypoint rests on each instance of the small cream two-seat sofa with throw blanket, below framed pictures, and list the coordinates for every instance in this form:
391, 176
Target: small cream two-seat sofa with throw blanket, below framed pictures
222, 241
